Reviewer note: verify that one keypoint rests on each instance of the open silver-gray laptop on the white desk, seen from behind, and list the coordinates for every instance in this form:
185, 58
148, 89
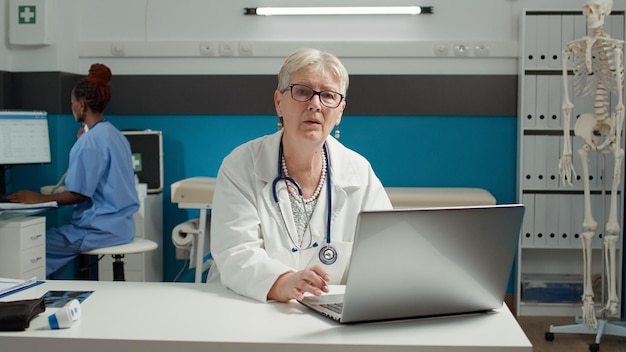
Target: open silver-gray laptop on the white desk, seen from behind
424, 262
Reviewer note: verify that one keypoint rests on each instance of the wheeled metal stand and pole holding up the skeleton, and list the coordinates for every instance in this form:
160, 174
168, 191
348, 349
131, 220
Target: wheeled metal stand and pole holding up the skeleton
604, 327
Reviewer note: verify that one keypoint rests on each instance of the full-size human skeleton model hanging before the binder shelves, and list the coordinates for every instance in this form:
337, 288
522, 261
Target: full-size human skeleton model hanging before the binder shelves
598, 71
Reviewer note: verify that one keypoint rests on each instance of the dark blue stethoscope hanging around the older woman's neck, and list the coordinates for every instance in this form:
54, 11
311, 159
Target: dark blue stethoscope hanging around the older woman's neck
327, 254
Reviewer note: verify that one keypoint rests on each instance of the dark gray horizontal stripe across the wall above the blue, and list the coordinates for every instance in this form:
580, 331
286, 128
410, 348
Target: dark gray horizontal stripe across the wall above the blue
411, 95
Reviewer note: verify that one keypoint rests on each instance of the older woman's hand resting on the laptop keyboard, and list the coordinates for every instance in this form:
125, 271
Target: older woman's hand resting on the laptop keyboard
293, 285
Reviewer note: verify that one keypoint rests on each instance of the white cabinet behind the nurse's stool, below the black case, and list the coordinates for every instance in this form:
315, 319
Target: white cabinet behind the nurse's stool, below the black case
146, 266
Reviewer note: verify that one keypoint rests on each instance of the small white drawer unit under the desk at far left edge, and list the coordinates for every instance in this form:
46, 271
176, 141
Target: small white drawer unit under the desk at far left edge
23, 248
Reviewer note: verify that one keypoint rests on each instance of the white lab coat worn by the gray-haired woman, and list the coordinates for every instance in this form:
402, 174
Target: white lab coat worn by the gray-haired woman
249, 243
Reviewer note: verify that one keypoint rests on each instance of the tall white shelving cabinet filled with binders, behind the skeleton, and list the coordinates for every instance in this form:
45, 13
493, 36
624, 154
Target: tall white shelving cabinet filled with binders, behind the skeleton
550, 259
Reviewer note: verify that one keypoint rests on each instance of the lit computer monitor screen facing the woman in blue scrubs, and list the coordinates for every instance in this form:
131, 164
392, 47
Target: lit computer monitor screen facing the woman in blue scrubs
24, 137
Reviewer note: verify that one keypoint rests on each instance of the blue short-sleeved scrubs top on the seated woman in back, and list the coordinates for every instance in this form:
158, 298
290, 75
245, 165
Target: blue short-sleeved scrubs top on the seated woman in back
101, 168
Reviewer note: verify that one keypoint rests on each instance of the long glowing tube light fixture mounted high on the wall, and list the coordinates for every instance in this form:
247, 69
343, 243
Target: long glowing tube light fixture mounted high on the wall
352, 10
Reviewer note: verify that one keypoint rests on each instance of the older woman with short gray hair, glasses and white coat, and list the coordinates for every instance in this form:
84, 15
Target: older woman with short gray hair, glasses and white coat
285, 206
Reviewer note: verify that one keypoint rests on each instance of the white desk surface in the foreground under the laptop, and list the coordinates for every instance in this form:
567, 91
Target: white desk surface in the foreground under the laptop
155, 316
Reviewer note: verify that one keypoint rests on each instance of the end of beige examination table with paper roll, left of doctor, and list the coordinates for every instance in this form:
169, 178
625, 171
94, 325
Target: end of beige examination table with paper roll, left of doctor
194, 193
